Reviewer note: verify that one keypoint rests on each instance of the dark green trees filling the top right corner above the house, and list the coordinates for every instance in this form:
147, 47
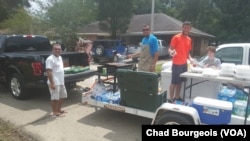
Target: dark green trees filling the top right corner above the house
228, 20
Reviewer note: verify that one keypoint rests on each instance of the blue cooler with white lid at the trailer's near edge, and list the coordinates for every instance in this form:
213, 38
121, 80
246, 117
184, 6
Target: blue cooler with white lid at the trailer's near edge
213, 111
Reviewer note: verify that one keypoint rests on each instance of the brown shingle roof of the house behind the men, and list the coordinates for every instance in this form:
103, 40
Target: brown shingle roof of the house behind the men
163, 25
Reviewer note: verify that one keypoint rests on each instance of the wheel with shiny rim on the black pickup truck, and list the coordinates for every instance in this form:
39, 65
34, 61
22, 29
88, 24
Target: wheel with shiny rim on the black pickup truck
16, 87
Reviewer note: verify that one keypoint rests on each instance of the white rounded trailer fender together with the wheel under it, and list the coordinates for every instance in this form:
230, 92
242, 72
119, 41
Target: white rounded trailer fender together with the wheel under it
176, 114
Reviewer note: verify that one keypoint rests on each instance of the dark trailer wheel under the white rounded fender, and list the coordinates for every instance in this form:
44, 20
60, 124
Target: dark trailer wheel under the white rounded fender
175, 119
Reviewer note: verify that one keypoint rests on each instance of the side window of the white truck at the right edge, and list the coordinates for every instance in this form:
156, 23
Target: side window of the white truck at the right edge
230, 55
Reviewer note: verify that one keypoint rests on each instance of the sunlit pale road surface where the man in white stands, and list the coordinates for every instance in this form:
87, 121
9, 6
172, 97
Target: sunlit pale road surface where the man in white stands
81, 122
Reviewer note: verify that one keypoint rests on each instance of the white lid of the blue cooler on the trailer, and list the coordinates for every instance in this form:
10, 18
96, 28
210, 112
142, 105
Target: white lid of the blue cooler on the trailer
220, 104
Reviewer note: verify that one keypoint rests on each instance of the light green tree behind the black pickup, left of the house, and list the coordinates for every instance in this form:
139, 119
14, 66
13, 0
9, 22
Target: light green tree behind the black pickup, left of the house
65, 16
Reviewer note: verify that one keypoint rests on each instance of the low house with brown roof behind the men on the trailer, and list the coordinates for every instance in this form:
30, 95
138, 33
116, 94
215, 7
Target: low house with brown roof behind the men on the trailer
164, 28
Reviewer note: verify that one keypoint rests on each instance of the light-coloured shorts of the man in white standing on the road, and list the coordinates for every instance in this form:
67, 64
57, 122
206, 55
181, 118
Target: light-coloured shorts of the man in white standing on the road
59, 92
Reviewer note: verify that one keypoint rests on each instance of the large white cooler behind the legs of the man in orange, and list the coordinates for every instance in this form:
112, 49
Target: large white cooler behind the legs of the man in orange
208, 89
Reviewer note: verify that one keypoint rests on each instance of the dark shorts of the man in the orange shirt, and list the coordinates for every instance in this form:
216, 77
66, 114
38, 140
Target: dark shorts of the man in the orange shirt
176, 71
